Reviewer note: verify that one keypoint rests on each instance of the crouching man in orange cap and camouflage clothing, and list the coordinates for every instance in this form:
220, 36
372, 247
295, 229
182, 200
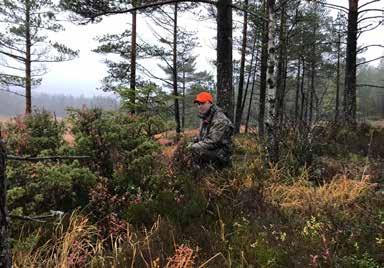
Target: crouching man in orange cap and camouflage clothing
213, 146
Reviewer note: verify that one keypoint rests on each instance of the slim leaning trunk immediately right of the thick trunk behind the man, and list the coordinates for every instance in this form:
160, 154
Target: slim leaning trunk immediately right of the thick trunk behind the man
239, 111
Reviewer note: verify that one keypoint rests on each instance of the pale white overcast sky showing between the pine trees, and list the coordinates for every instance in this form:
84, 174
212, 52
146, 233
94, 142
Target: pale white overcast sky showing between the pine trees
82, 76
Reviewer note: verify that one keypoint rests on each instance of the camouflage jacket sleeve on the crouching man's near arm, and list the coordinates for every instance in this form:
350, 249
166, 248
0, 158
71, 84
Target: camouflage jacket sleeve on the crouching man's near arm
219, 135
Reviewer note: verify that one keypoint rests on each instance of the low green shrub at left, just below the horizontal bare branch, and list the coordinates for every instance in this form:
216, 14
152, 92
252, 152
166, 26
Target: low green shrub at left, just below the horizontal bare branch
38, 188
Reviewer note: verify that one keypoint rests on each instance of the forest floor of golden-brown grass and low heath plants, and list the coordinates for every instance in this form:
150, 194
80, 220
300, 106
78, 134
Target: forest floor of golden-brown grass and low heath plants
327, 212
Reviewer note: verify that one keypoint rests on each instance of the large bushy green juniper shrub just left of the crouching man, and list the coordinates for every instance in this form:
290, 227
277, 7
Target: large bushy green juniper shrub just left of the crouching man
119, 147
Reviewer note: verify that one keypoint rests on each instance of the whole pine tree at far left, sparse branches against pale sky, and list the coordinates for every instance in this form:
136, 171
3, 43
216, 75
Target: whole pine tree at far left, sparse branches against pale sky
24, 44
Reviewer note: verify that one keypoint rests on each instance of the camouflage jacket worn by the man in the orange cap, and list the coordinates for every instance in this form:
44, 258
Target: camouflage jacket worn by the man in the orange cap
216, 131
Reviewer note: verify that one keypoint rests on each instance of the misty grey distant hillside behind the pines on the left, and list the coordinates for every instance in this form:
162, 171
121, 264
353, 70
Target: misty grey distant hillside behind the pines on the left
11, 104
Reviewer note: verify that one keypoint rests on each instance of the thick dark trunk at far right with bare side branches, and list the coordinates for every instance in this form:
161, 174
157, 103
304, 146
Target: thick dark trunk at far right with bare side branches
350, 64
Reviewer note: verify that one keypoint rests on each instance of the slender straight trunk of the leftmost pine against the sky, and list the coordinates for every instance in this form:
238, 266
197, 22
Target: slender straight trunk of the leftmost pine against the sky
28, 73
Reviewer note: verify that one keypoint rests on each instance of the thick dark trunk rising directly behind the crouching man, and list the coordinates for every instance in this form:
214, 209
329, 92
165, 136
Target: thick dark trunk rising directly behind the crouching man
224, 57
